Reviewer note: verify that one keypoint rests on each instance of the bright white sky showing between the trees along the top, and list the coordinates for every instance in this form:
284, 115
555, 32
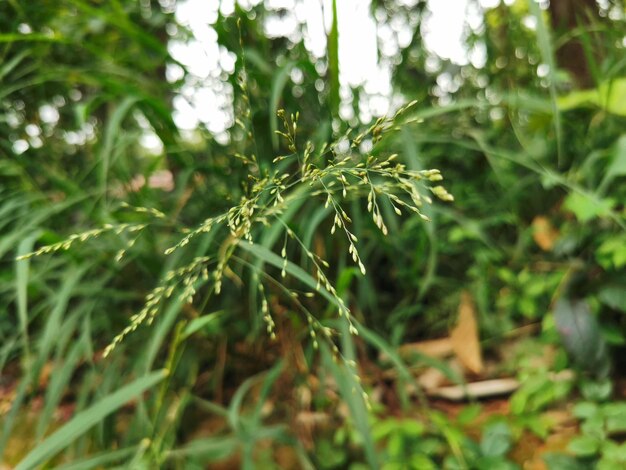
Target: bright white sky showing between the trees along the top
207, 99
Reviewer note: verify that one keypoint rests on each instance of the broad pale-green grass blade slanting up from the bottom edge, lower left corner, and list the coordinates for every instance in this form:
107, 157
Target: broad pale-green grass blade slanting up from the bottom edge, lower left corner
86, 419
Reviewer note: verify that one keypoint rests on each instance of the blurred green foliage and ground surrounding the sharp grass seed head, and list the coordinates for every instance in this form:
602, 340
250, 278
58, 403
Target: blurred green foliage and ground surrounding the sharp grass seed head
531, 142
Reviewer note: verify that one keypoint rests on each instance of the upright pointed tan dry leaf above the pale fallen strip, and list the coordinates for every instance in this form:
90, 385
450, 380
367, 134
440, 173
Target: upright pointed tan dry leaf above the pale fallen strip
464, 336
